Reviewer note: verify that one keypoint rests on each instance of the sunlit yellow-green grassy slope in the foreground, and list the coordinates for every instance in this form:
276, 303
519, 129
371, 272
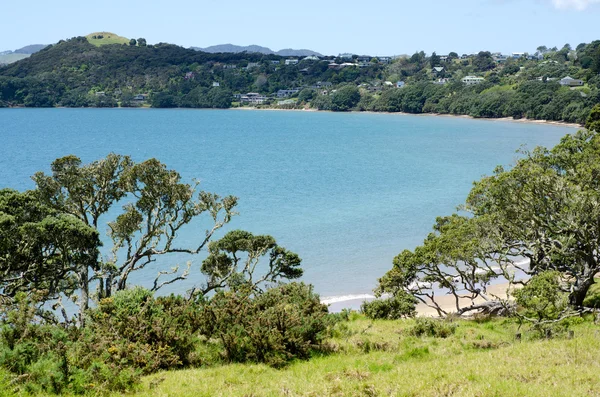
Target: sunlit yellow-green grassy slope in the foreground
380, 359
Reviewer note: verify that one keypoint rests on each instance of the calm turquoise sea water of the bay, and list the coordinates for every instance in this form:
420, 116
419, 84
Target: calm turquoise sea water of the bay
347, 192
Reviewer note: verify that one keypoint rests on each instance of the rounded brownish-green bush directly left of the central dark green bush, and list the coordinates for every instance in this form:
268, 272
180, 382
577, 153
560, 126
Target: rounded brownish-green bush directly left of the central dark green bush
134, 329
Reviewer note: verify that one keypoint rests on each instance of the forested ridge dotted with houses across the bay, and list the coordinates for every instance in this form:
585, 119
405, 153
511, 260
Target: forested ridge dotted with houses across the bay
75, 73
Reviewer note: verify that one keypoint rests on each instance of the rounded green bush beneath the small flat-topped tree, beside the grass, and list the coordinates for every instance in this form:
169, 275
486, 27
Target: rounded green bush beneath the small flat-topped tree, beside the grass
284, 323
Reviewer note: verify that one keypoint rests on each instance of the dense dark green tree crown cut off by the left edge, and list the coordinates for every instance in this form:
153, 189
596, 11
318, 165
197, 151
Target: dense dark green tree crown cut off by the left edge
42, 249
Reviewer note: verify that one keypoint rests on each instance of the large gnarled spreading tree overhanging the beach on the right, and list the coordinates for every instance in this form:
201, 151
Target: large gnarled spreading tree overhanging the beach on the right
539, 216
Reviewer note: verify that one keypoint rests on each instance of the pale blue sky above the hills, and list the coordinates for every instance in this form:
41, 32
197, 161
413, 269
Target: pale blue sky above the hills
376, 27
